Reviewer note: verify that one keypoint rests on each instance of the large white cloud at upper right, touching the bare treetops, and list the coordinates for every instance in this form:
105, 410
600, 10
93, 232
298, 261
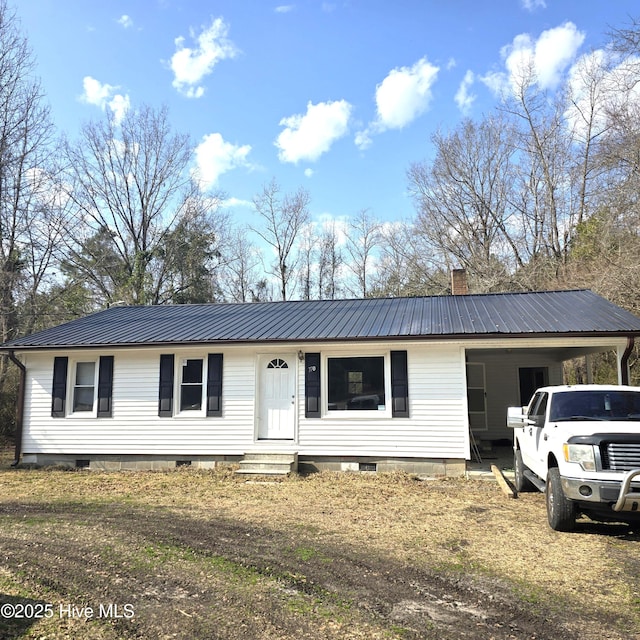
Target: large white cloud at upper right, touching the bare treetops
547, 57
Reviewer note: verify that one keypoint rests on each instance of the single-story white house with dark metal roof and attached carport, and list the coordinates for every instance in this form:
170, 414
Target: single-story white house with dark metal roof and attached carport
396, 383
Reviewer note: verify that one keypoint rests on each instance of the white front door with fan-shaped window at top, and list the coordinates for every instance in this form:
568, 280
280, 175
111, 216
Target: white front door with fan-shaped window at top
276, 418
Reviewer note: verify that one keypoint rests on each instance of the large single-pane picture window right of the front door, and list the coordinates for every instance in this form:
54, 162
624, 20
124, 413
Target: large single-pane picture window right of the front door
356, 383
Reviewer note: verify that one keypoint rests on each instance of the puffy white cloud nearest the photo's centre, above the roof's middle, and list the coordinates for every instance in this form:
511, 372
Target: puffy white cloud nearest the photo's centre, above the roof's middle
308, 136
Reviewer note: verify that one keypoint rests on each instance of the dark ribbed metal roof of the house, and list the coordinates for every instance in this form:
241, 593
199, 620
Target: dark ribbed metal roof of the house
547, 313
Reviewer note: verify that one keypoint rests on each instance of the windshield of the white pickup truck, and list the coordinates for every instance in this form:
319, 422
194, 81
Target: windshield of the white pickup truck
595, 405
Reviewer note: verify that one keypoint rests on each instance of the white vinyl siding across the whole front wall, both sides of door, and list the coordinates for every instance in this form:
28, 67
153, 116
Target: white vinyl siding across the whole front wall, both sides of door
436, 426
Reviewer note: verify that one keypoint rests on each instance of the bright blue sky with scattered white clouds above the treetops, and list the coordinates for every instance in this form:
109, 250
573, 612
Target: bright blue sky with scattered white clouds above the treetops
336, 96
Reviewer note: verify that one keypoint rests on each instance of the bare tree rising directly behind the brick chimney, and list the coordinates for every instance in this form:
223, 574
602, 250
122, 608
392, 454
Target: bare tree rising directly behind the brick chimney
463, 200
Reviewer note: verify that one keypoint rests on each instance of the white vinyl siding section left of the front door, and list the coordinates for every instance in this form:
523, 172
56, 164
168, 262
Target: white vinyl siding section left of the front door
135, 427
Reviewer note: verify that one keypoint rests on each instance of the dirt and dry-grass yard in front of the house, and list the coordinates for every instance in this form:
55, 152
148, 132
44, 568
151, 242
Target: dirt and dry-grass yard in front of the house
200, 555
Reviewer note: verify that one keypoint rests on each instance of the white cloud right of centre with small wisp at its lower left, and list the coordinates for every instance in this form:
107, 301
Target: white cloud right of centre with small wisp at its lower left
401, 97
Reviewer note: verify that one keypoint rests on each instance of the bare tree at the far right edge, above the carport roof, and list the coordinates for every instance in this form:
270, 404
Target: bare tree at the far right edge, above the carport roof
605, 251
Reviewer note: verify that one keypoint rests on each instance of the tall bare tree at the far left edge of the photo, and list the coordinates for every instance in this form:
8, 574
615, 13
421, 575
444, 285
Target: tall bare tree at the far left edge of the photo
27, 226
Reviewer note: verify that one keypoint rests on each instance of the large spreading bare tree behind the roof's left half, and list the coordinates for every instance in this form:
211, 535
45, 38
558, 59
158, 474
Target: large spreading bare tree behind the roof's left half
131, 191
